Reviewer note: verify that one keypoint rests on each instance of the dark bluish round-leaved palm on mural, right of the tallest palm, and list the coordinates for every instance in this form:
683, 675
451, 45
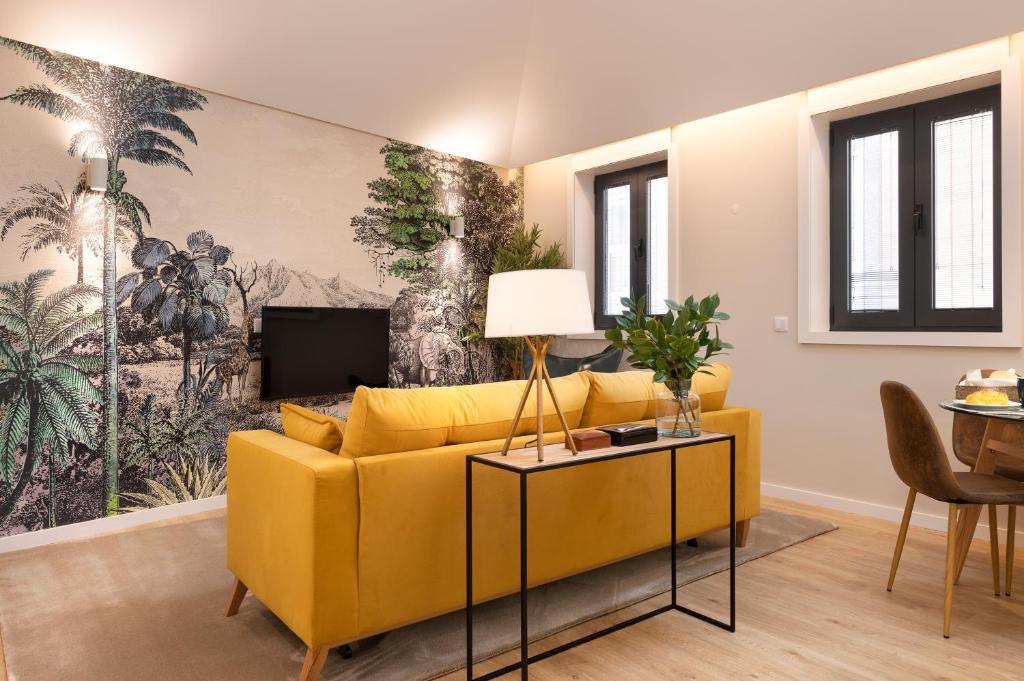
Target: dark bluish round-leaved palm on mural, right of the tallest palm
185, 290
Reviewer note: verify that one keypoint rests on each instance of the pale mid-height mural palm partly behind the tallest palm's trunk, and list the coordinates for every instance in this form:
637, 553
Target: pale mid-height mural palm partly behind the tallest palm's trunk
69, 222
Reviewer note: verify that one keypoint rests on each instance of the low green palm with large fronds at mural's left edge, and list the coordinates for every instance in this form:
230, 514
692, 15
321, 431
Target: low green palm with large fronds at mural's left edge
46, 390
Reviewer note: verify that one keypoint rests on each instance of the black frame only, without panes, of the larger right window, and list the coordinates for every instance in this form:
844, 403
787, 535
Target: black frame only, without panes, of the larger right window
917, 290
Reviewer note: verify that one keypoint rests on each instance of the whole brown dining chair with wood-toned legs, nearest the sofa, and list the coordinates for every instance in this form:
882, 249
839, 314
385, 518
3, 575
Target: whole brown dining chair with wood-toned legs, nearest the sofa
921, 462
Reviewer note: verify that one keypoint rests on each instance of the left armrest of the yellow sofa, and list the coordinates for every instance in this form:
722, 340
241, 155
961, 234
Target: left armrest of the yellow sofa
292, 533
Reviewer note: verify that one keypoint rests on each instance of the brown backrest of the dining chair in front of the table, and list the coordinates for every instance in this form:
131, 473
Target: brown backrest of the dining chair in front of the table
915, 446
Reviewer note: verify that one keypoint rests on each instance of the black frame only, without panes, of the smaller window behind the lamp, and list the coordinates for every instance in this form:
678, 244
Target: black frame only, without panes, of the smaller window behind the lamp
637, 179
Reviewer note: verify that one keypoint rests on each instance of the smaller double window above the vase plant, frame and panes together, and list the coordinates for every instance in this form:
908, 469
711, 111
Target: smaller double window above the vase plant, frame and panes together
632, 240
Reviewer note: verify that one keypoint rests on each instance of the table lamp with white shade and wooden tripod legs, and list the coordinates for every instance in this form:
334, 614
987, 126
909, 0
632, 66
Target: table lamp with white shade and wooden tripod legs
538, 305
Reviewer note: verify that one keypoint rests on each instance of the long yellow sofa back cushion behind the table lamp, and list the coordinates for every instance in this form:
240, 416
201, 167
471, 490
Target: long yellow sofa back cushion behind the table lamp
388, 420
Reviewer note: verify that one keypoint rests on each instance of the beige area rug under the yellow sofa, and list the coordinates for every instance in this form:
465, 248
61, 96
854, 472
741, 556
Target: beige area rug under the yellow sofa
147, 606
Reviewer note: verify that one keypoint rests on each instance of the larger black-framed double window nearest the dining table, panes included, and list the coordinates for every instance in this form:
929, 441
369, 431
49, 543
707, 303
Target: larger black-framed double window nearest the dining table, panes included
915, 237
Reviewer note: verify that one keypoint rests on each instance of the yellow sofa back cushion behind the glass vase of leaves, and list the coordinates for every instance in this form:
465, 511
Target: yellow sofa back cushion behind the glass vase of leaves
628, 397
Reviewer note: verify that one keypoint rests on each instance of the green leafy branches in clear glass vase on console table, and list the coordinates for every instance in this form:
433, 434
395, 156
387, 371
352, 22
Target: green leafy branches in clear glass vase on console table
675, 347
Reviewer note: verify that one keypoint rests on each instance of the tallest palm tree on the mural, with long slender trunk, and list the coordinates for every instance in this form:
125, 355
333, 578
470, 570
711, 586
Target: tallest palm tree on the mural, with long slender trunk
124, 116
